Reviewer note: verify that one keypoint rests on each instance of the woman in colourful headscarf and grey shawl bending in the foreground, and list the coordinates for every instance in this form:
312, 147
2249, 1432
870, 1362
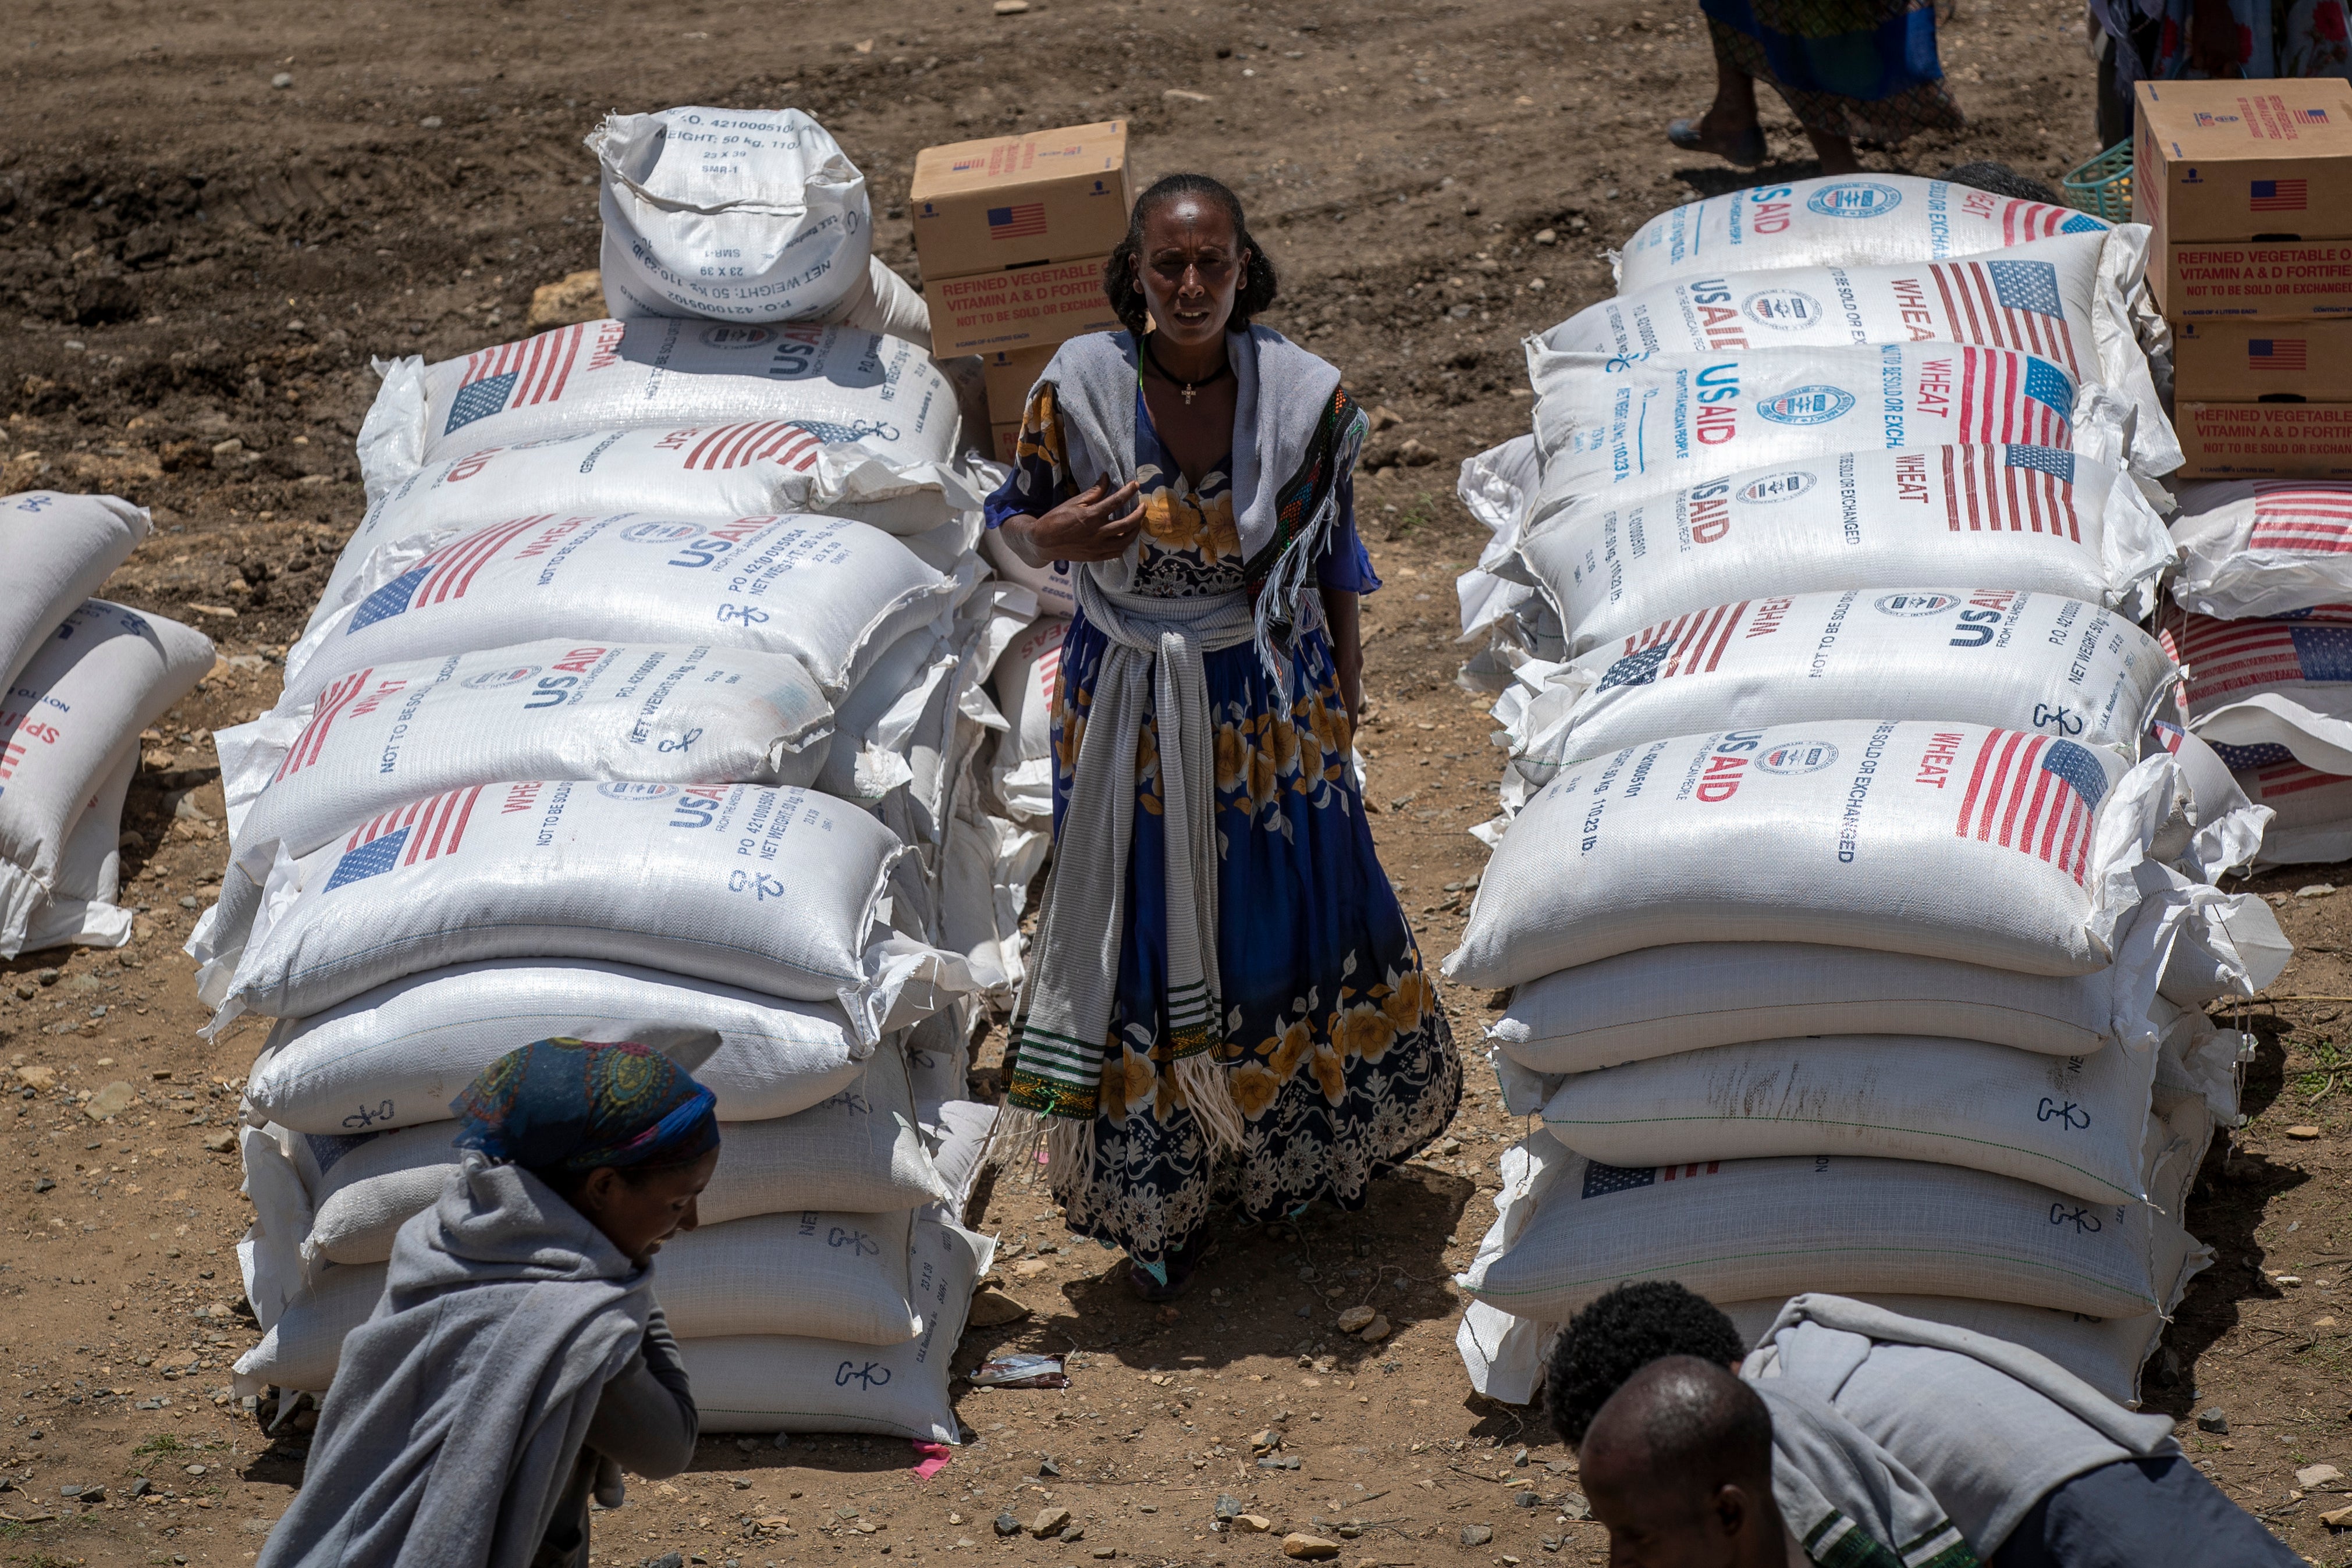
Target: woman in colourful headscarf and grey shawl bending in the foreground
519, 1362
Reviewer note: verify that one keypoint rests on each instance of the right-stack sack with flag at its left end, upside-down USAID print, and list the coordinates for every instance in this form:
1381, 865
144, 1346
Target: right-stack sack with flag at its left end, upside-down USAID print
1989, 655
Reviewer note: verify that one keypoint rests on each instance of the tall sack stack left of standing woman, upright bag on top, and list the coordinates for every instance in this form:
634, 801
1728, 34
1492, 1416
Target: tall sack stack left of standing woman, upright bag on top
648, 704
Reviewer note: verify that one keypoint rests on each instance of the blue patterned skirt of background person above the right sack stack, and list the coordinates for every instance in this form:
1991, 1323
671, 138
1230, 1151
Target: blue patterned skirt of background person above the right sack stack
1862, 69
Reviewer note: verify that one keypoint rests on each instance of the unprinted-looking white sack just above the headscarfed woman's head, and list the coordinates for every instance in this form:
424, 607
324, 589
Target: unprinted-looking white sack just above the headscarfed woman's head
399, 1054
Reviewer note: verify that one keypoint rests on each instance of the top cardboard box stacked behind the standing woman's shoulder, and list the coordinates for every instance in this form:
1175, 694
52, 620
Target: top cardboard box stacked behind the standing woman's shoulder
1020, 201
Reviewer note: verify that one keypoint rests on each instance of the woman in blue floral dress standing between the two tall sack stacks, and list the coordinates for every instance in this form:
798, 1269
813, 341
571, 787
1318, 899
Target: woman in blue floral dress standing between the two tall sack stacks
1227, 1005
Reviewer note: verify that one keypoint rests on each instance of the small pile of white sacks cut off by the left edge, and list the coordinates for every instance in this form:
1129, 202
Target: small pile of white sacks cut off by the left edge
79, 681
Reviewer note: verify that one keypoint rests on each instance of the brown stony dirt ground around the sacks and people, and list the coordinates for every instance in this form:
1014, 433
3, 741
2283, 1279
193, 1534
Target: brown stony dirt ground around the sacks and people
211, 217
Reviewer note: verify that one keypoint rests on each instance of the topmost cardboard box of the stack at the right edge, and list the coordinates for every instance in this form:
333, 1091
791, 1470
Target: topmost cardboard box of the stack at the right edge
2240, 161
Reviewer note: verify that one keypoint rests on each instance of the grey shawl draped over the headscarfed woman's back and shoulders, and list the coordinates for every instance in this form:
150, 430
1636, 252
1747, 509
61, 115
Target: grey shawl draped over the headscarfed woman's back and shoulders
465, 1400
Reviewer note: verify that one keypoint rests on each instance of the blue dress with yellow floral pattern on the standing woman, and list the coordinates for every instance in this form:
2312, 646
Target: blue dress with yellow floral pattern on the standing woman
1342, 1059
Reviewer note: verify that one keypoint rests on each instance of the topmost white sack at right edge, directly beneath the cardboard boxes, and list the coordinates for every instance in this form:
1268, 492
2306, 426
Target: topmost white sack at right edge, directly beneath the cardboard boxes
2264, 547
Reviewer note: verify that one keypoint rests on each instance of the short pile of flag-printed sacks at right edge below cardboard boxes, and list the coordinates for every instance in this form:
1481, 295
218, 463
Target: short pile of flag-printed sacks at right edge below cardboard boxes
2261, 619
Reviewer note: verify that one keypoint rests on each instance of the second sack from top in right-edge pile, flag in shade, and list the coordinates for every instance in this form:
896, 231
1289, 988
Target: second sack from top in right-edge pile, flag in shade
2266, 692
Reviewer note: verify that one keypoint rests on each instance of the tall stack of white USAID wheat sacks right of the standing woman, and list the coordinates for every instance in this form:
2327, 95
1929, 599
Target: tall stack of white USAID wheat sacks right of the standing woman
1850, 942
